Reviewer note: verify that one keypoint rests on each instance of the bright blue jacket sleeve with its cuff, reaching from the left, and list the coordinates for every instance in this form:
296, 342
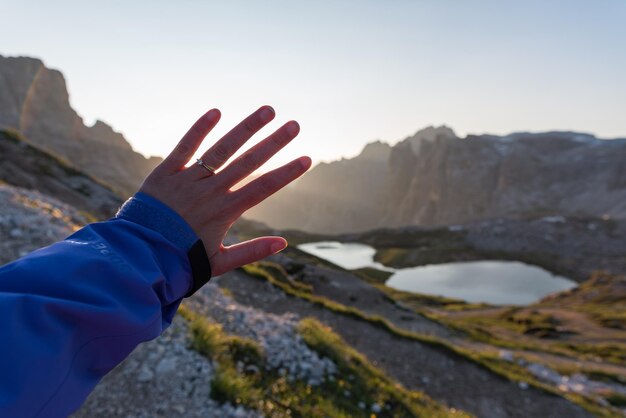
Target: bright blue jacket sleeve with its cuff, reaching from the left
72, 311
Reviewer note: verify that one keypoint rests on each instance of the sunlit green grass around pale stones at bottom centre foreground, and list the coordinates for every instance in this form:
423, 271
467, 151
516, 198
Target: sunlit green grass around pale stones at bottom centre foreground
274, 395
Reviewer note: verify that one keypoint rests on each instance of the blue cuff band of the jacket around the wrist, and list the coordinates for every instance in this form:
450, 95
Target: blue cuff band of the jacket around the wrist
147, 211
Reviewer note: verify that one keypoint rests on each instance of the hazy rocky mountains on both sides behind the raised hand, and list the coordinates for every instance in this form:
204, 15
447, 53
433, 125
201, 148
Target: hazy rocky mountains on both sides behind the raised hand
432, 178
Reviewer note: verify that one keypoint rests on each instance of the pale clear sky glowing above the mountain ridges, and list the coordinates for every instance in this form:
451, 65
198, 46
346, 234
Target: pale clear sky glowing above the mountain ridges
350, 72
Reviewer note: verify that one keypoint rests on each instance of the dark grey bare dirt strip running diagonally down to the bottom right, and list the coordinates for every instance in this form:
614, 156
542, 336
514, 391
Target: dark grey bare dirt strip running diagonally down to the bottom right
448, 378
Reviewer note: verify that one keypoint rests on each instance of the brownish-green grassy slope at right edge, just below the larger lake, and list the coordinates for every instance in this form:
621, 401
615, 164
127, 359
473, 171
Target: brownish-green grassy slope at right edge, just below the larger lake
557, 325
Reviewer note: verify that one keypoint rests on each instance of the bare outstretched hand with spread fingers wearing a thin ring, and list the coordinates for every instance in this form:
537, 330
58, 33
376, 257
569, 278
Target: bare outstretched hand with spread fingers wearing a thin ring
206, 200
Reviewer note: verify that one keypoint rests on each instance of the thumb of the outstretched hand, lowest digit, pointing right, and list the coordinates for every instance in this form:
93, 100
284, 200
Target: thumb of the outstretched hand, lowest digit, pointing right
229, 258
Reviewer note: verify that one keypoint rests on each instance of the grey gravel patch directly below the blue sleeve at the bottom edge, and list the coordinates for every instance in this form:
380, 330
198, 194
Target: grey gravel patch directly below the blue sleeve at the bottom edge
161, 378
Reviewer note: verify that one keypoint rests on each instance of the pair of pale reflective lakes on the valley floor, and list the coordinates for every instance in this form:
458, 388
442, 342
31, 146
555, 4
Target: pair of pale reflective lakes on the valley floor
494, 282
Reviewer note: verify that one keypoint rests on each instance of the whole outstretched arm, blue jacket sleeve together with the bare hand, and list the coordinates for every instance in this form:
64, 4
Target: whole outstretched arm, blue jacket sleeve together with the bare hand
74, 310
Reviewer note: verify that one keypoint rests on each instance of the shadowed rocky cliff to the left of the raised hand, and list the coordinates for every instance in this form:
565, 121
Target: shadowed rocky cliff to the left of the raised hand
35, 102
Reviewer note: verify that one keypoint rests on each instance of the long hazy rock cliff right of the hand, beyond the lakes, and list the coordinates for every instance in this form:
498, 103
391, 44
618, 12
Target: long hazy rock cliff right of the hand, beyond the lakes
436, 178
